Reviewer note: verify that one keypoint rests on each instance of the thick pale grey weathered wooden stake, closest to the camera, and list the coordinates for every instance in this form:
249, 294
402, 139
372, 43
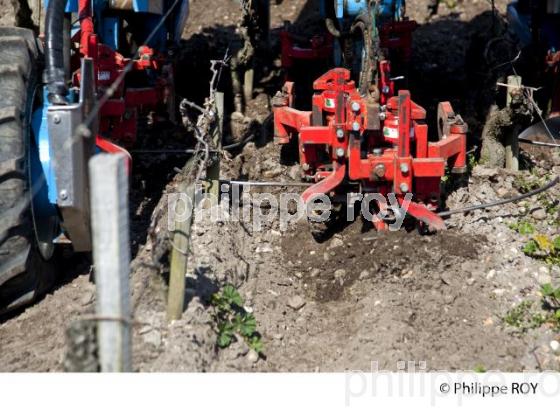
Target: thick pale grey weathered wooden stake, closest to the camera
111, 254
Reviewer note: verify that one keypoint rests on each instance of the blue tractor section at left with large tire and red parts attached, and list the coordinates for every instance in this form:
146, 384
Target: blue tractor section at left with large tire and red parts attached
65, 96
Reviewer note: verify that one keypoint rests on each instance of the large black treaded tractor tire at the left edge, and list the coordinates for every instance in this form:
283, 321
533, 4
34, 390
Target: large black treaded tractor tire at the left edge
24, 274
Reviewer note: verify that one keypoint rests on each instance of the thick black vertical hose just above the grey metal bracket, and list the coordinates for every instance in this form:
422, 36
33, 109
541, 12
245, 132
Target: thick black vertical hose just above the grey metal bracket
54, 52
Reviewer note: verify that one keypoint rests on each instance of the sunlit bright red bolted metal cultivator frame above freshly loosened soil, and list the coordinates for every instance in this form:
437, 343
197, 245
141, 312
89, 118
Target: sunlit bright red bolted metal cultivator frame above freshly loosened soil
347, 137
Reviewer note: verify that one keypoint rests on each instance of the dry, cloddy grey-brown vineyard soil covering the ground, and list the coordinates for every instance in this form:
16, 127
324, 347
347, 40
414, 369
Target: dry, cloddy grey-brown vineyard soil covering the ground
359, 299
